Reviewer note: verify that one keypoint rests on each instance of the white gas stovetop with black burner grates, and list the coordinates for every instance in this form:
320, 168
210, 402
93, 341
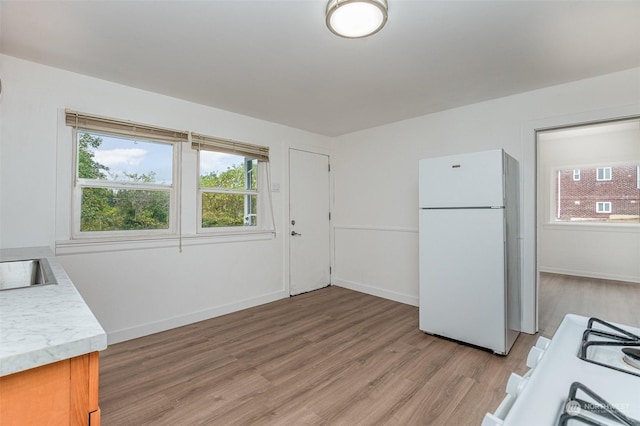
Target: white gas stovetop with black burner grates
547, 395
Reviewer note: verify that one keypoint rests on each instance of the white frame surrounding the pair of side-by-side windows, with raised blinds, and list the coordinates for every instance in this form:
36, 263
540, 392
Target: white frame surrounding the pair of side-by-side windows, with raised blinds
183, 217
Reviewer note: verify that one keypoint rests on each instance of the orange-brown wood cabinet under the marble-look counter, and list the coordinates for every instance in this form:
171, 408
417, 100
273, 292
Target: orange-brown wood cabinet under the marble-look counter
62, 393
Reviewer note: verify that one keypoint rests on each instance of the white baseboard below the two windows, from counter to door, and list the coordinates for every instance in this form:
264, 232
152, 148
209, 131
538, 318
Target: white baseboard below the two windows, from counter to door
167, 324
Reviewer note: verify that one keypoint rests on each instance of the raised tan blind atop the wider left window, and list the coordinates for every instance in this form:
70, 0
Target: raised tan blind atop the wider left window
122, 127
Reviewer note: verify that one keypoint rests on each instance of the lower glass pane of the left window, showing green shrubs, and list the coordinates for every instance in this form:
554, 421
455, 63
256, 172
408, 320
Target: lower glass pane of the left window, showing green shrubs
106, 209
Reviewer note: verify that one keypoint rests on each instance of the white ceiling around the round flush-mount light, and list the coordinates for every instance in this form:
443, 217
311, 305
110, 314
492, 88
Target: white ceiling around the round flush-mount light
275, 59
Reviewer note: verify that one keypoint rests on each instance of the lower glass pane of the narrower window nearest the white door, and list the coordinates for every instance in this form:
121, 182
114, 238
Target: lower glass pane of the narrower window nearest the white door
220, 209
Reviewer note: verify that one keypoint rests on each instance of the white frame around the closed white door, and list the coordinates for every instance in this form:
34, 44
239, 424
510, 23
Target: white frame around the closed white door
287, 241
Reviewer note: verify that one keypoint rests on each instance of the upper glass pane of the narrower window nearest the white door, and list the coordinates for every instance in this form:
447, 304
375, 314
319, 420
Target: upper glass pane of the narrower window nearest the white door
219, 170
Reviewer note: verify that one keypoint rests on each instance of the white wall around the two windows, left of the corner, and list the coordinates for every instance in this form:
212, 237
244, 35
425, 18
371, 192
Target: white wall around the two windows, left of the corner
136, 291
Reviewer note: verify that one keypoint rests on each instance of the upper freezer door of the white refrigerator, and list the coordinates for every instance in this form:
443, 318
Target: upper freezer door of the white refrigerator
465, 180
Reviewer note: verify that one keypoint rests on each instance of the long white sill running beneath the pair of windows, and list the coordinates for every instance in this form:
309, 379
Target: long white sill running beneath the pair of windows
104, 245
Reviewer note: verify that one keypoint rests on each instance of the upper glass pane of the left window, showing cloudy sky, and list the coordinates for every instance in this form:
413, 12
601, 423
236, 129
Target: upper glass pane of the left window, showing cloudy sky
105, 157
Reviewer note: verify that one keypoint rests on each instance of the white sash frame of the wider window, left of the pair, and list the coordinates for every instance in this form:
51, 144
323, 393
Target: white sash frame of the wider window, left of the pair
79, 184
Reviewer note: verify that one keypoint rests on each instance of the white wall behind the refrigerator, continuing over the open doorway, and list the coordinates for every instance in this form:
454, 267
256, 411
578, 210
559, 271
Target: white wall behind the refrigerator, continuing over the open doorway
376, 170
